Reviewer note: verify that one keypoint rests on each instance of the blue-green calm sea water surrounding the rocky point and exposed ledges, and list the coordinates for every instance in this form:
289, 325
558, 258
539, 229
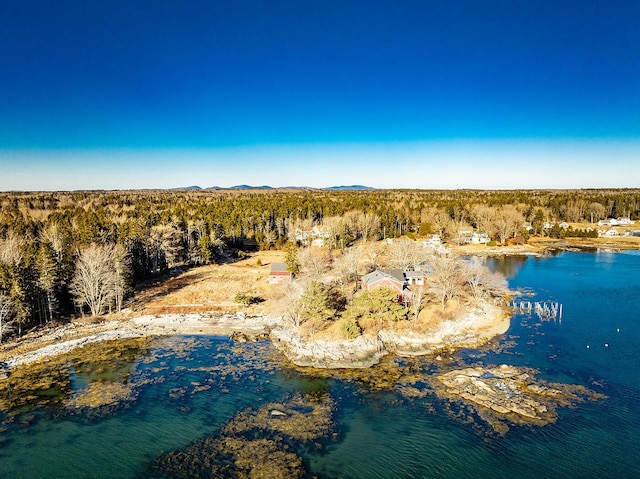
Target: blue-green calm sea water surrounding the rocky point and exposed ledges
186, 389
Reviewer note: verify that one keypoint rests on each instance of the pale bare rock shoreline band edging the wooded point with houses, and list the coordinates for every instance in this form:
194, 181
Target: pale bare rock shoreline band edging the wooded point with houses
474, 328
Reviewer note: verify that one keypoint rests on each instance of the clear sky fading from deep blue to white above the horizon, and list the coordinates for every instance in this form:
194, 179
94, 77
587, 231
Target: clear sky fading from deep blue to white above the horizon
507, 94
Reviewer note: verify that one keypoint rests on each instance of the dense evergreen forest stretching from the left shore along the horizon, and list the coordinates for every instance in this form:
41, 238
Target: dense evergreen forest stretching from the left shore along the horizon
53, 243
